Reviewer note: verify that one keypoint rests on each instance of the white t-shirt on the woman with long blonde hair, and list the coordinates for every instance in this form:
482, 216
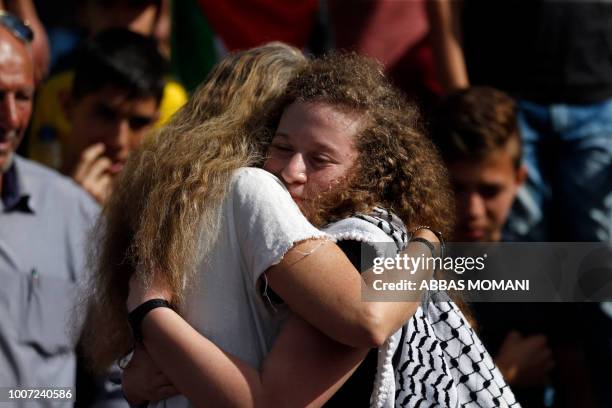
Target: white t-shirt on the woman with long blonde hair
260, 223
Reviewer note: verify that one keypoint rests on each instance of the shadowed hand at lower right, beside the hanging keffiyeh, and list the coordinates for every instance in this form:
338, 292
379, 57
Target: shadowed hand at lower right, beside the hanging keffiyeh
525, 361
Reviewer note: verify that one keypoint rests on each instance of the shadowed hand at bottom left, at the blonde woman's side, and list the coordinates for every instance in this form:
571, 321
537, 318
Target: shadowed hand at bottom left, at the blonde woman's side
143, 381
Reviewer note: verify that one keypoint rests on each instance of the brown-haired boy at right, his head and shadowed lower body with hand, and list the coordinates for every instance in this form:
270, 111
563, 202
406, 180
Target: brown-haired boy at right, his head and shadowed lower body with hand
476, 132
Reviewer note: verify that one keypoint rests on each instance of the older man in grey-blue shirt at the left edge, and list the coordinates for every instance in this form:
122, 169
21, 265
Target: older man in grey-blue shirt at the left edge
44, 220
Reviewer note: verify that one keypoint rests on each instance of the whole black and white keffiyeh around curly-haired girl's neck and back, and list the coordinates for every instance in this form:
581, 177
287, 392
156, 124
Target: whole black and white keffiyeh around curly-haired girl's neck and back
436, 359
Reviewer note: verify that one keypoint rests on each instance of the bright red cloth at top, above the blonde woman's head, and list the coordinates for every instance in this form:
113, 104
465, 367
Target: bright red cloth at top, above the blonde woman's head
248, 23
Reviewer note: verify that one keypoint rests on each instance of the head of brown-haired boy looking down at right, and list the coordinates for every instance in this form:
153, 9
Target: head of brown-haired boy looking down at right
476, 132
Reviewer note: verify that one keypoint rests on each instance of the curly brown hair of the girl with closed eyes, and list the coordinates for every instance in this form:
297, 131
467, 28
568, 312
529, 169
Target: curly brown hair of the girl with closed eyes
398, 167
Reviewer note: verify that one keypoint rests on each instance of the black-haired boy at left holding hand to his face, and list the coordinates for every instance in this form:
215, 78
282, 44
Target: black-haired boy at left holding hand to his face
114, 102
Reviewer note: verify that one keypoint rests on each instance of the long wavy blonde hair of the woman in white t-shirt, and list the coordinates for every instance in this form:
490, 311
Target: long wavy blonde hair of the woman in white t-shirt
171, 188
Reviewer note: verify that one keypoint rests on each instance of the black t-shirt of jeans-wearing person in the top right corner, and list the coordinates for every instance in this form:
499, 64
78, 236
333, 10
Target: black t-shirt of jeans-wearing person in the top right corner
540, 50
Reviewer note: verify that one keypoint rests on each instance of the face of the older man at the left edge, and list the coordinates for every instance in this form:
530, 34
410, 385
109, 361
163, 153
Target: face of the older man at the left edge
16, 92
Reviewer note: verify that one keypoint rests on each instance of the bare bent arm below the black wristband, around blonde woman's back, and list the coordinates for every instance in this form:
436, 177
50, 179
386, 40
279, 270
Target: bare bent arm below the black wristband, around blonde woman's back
304, 368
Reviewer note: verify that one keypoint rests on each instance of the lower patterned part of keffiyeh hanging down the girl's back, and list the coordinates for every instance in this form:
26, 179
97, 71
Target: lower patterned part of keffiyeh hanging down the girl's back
439, 360
